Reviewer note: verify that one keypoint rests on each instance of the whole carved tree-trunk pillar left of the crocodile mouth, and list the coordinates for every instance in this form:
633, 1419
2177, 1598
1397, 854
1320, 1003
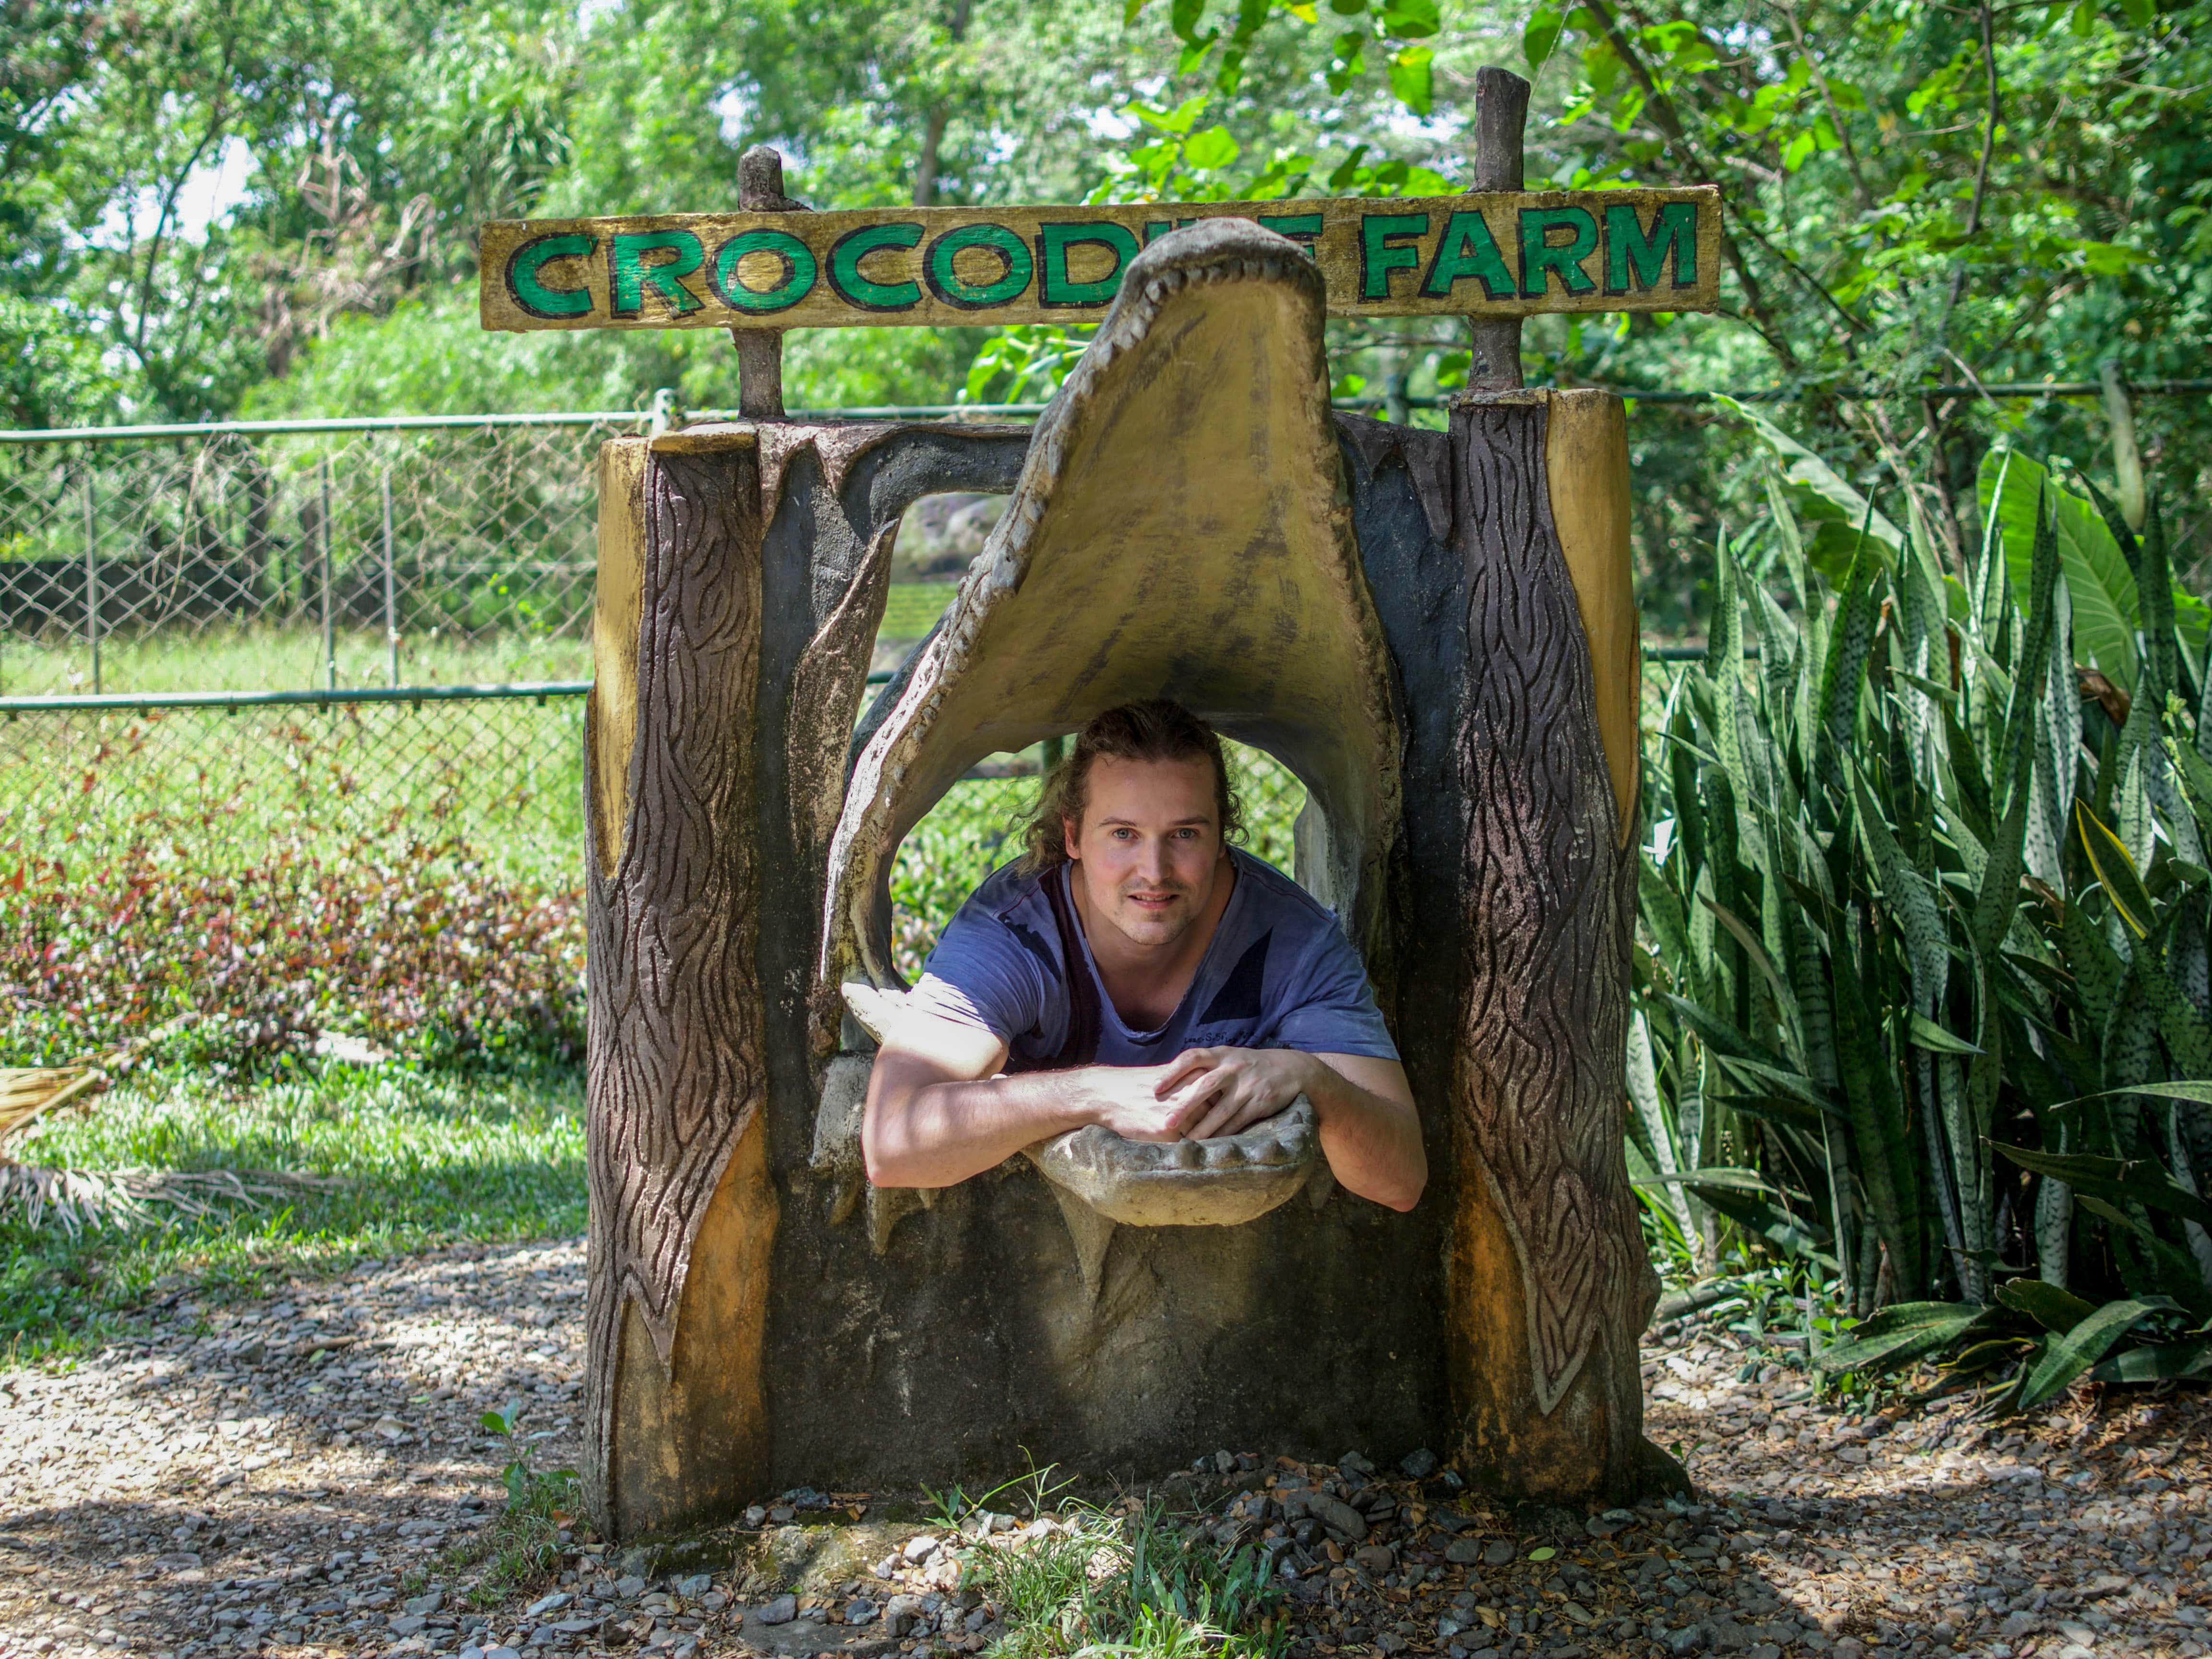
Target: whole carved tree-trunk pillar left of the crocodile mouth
682, 1213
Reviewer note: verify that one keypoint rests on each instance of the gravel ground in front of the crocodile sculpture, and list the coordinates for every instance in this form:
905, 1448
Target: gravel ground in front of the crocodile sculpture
306, 1477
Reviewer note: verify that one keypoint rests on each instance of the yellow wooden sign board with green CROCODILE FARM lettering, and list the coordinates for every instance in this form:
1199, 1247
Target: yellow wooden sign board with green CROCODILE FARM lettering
1488, 255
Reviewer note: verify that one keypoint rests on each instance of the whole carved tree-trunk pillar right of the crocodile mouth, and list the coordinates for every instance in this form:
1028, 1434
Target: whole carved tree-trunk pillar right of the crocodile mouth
1550, 1277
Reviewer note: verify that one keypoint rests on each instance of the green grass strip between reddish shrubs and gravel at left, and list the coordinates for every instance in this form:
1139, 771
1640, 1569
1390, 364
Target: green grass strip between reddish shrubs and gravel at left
419, 1160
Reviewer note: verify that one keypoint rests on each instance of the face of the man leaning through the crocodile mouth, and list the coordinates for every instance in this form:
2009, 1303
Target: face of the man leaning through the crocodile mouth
1149, 848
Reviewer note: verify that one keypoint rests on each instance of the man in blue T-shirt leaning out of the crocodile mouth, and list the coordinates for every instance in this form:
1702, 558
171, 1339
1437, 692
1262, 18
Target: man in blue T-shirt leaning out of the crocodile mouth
1138, 972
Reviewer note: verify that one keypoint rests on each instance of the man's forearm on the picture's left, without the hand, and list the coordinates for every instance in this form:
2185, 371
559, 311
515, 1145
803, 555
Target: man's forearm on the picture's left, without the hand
946, 1134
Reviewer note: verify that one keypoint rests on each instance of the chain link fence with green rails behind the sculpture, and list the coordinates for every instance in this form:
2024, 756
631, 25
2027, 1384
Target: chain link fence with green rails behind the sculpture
242, 640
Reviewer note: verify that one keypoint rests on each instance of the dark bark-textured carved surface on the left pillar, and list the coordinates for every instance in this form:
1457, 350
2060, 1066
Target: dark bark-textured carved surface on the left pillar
674, 988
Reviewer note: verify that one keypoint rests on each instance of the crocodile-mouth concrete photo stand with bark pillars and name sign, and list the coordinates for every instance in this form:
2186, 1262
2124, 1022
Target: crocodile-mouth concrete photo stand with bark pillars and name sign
1432, 629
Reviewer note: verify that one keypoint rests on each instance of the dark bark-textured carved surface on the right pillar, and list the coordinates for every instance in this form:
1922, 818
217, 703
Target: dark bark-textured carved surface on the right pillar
1547, 906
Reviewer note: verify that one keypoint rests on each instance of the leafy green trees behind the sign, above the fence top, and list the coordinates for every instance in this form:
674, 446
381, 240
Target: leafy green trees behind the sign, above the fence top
238, 207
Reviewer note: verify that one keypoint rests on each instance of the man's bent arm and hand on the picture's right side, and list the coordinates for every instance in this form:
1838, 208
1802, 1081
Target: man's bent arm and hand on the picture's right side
1368, 1125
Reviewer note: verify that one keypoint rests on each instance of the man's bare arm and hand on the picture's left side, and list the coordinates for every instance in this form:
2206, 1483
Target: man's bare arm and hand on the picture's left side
937, 1114
